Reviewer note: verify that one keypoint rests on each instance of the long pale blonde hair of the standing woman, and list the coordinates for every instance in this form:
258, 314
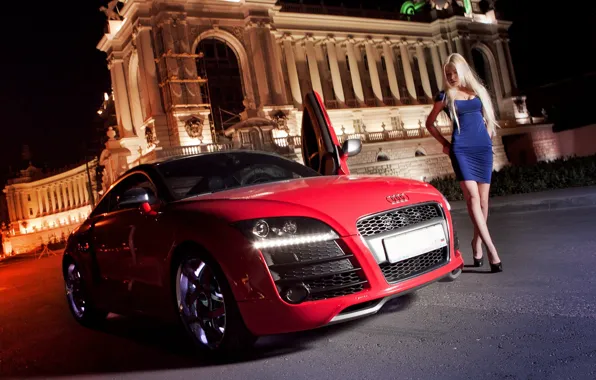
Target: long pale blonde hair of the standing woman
468, 79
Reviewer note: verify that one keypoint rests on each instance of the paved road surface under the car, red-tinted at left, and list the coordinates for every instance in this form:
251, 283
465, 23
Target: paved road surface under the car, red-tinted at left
536, 320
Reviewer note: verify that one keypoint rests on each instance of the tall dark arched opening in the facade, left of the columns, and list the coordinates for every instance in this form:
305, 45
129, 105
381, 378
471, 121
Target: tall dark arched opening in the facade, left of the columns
220, 66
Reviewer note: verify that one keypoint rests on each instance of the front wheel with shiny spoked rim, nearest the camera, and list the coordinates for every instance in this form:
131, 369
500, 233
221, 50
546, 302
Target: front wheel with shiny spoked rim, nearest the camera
206, 306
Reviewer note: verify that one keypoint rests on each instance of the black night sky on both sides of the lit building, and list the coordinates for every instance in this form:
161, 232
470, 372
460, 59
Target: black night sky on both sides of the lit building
54, 77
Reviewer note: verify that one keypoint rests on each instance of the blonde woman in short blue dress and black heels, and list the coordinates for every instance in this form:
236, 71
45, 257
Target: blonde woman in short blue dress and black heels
470, 108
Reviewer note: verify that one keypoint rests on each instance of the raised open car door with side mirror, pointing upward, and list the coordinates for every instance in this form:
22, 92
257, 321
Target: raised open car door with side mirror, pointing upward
321, 150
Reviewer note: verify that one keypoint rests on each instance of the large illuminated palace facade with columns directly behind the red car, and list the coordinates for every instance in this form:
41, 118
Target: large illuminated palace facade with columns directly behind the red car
204, 75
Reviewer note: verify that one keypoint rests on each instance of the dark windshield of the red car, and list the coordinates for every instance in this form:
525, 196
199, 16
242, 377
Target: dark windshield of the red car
210, 173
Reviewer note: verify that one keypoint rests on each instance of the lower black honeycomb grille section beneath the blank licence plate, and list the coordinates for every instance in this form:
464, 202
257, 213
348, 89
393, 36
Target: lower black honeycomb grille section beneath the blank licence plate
414, 266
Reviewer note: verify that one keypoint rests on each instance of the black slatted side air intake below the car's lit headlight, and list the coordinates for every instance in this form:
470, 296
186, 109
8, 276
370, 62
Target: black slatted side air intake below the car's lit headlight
323, 267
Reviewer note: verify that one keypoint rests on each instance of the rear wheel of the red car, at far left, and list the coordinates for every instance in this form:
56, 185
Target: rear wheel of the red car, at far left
77, 297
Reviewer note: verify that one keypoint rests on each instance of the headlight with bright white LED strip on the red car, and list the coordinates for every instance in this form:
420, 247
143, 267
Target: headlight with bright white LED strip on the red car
285, 231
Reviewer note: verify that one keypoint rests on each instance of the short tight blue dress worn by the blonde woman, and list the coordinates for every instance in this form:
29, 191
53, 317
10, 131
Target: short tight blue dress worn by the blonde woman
471, 146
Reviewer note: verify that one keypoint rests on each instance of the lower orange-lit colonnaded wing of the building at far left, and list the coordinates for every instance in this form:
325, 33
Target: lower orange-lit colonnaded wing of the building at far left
44, 209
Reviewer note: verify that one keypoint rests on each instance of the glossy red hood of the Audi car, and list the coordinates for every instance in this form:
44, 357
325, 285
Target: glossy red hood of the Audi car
338, 200
